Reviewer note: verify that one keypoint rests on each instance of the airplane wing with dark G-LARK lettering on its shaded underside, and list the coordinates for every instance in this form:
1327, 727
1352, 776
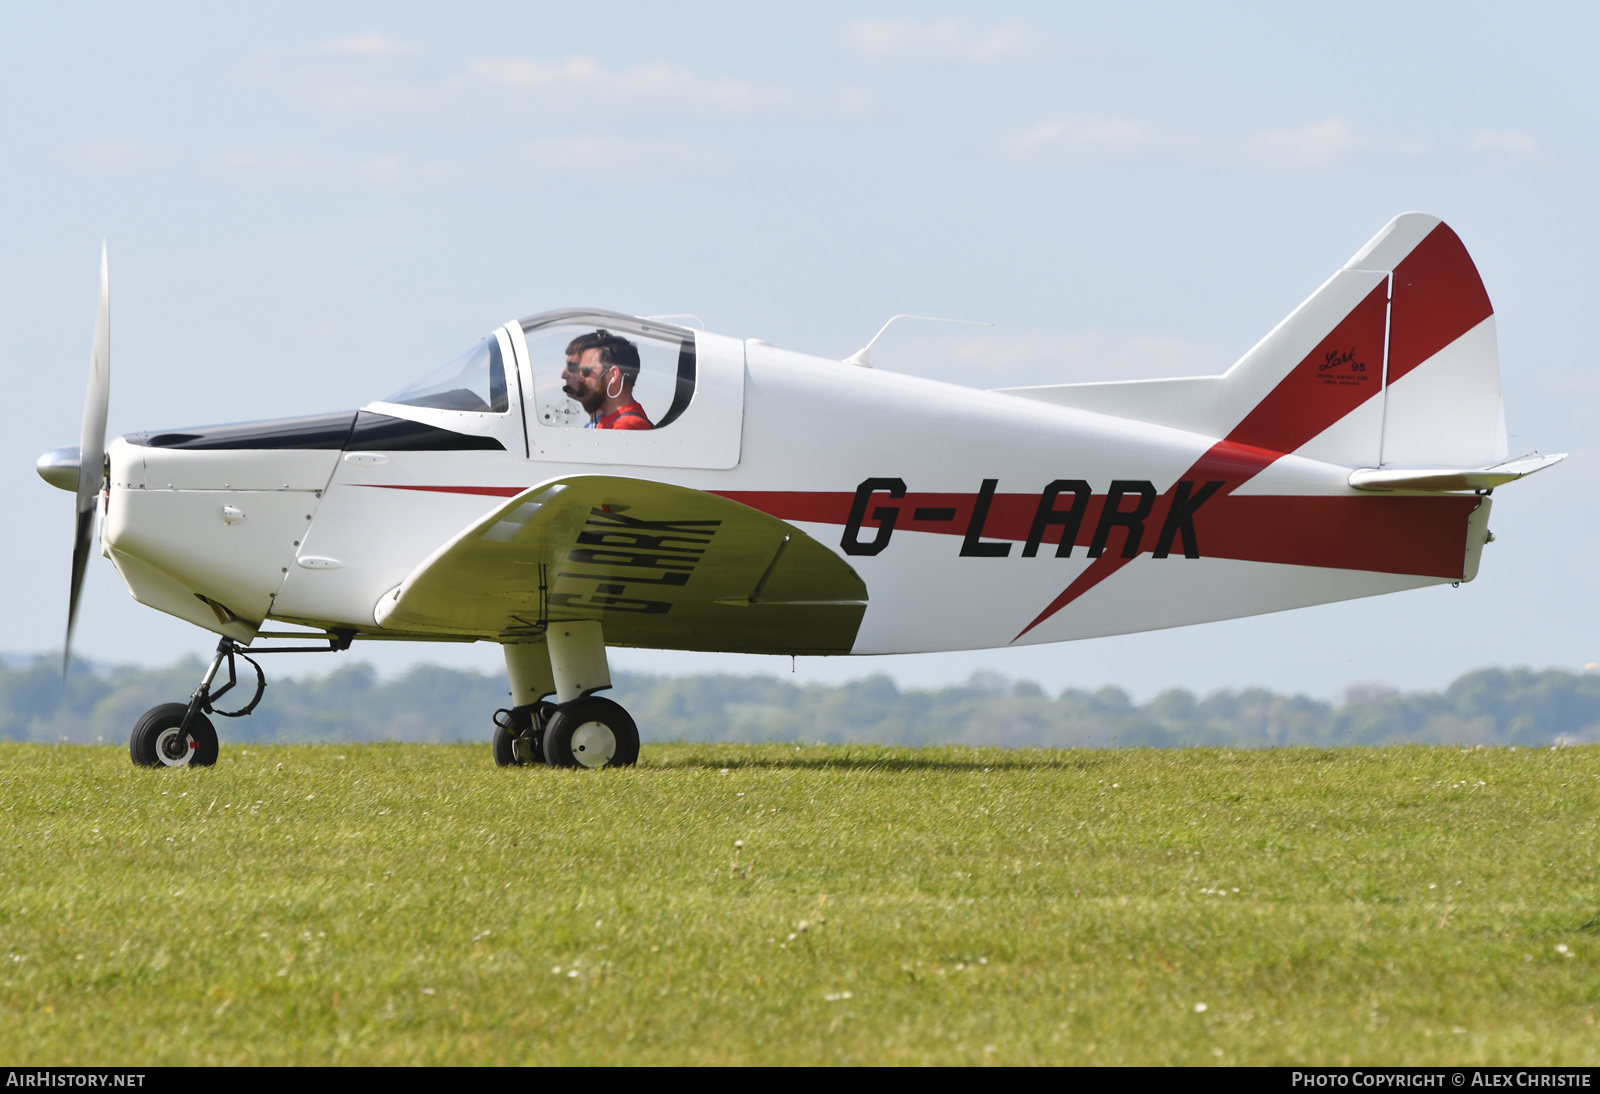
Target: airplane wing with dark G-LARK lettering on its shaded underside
662, 567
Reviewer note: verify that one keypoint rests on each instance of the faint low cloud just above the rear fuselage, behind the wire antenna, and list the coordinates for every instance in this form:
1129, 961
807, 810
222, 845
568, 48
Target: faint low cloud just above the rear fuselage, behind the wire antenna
1065, 357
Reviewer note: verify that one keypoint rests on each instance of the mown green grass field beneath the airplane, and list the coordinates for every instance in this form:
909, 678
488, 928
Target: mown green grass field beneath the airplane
414, 904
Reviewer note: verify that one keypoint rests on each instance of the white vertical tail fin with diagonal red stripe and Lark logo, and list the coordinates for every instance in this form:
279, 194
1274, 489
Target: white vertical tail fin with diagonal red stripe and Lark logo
1391, 362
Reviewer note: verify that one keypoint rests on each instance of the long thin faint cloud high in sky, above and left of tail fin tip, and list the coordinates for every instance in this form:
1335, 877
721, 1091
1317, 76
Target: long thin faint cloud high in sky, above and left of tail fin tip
1119, 140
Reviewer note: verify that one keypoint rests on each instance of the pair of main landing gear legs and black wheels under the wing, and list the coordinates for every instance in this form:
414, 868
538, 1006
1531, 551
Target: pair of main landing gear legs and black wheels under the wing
580, 730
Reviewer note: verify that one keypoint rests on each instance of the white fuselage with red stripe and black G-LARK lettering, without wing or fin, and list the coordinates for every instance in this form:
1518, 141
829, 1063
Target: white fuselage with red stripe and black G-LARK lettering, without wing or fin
950, 503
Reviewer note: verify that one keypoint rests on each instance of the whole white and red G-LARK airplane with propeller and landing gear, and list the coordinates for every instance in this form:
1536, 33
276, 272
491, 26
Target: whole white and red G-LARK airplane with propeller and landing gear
791, 505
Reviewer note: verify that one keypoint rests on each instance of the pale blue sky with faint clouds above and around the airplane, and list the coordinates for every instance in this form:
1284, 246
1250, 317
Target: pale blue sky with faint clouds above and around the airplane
310, 206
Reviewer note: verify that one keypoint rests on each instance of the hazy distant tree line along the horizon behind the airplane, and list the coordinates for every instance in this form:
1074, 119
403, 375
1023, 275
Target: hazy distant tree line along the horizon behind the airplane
430, 703
